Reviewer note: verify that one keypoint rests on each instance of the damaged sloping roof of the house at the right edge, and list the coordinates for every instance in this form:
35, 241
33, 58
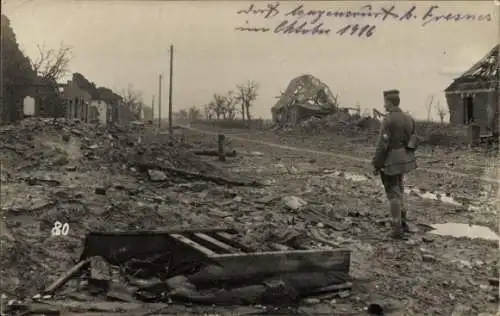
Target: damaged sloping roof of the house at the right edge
482, 75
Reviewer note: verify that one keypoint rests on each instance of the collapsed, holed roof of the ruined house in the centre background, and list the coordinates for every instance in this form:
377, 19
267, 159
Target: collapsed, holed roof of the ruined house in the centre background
307, 91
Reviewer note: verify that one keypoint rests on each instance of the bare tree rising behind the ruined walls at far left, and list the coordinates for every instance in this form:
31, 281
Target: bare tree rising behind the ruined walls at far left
52, 64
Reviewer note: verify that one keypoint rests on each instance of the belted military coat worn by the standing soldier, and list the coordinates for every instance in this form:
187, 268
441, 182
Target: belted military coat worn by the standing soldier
391, 153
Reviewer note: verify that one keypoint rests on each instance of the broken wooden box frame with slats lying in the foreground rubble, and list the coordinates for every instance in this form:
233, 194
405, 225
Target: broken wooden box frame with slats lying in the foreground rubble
200, 266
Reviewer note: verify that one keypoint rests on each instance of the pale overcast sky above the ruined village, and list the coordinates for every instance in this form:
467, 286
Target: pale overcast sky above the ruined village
116, 43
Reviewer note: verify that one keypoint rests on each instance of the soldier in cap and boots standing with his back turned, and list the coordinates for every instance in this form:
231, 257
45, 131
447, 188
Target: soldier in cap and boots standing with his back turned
394, 157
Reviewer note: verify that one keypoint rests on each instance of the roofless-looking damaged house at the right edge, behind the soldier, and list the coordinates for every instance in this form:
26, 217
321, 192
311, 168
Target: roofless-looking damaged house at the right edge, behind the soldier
473, 97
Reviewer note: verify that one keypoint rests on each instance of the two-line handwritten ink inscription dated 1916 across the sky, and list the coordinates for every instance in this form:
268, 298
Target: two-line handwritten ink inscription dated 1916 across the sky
303, 21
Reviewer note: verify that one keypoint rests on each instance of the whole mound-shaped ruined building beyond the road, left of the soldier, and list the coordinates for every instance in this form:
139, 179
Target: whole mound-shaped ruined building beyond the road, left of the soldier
305, 97
